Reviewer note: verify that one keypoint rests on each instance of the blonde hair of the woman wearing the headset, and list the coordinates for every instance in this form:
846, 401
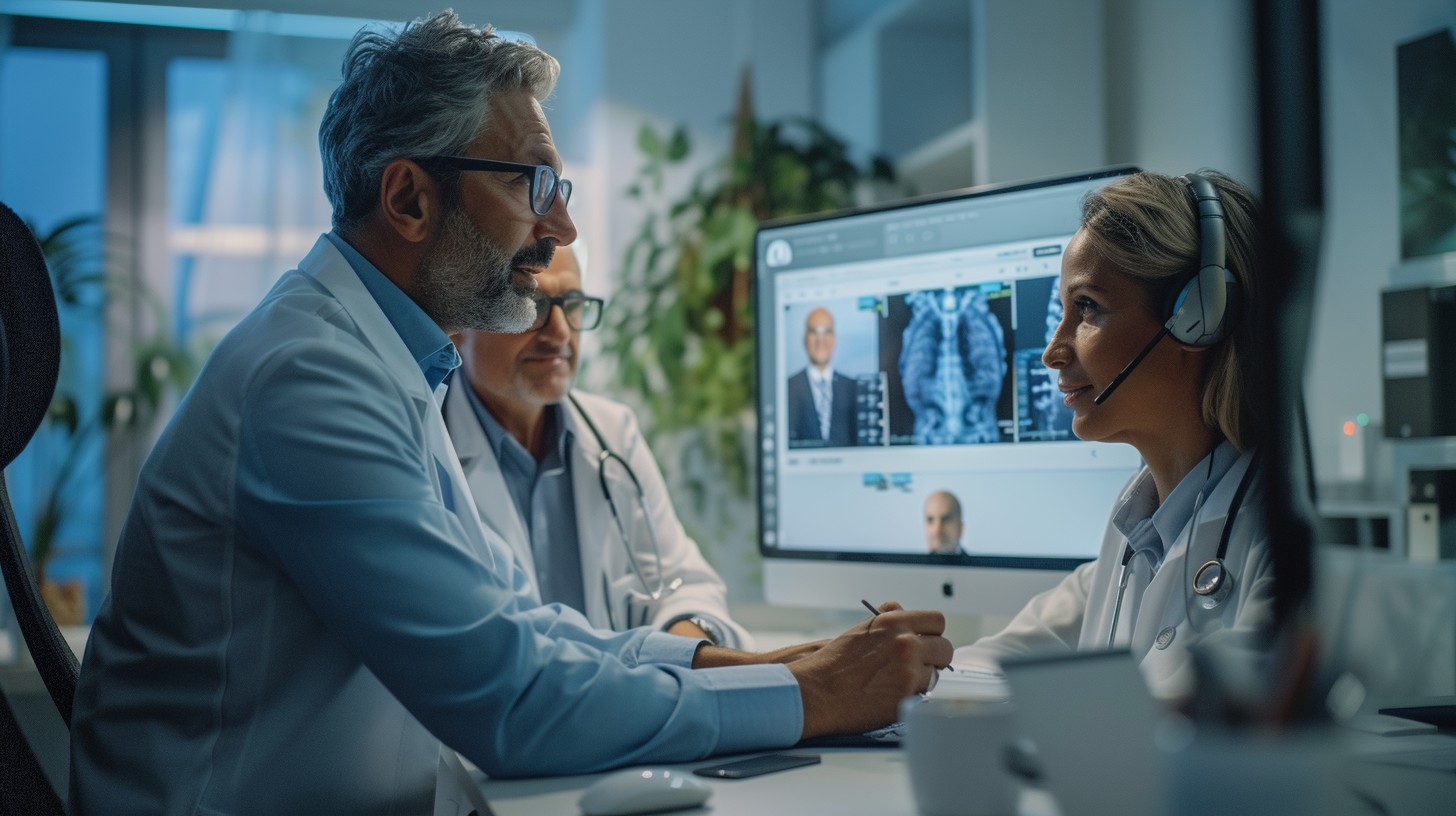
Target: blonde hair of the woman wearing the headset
1147, 225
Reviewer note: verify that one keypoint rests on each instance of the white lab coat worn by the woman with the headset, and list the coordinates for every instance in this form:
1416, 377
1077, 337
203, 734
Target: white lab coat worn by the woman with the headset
1078, 613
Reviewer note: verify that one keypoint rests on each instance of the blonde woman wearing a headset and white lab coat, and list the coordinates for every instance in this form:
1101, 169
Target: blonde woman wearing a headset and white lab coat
1154, 350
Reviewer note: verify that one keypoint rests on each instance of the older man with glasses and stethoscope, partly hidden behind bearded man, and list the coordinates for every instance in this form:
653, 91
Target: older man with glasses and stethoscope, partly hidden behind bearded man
569, 482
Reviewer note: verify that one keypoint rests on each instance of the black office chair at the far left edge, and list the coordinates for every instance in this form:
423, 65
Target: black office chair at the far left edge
30, 364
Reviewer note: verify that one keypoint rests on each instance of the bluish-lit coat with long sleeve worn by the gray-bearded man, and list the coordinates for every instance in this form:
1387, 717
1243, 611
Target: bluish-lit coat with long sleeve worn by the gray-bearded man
296, 619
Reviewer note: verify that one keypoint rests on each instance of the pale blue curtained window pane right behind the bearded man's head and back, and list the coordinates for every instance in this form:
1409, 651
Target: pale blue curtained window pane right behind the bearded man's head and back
245, 196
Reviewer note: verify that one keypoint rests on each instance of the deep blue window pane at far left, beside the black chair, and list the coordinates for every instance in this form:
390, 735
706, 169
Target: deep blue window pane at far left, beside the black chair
53, 170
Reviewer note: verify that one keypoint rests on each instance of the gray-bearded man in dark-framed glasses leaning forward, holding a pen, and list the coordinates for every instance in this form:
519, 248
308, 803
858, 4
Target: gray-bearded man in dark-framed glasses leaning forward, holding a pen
306, 614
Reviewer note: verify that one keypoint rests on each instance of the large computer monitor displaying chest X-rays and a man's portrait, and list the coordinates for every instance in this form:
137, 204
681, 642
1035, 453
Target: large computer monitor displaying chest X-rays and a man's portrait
901, 385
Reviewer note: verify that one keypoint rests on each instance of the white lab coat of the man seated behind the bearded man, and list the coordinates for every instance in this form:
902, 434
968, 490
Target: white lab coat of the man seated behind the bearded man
609, 584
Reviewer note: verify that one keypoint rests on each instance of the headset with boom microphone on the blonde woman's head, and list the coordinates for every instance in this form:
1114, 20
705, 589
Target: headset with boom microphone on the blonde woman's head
1199, 313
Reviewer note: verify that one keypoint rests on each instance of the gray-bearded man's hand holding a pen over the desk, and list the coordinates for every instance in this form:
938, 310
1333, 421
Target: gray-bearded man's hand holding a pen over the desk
857, 681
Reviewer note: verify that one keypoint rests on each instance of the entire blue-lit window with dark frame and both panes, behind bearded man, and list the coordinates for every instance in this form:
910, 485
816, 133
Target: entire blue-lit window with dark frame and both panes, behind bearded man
194, 157
